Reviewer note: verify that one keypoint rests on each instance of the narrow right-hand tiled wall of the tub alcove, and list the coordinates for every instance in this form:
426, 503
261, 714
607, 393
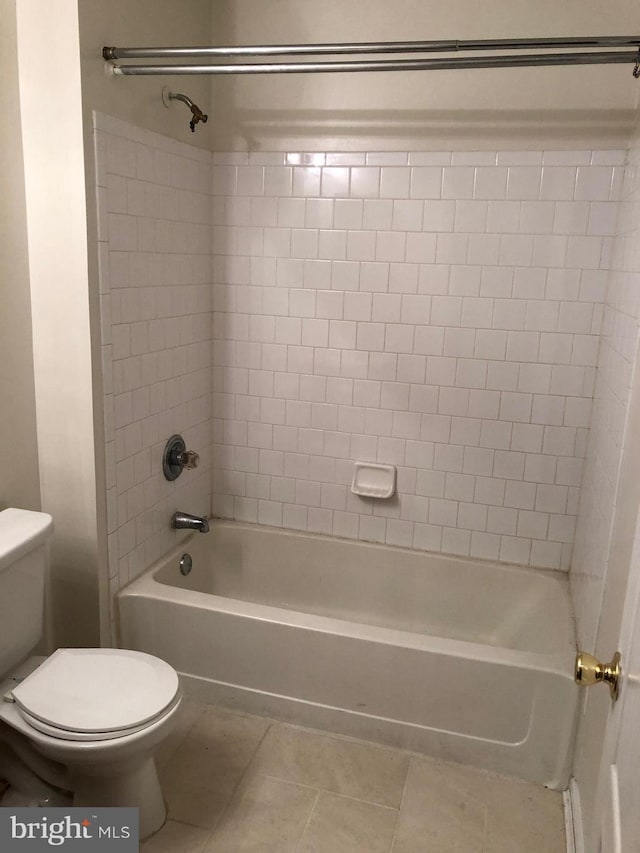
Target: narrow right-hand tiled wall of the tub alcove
617, 362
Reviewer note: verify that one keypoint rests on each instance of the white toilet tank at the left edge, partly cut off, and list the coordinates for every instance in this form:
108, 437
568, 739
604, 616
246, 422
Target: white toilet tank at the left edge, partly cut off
23, 560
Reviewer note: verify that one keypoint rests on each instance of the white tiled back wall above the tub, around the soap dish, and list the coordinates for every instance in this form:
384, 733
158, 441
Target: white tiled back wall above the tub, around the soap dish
438, 311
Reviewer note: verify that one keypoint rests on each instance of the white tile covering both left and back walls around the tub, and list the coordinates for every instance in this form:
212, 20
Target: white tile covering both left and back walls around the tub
437, 311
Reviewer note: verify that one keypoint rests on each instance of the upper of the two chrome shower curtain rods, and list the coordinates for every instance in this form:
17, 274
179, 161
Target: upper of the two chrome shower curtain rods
442, 46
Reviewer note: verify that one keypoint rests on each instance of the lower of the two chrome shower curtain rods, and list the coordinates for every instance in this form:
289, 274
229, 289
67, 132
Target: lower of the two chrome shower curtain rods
425, 64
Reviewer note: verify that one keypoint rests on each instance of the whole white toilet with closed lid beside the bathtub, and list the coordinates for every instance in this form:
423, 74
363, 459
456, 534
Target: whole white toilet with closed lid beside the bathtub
99, 713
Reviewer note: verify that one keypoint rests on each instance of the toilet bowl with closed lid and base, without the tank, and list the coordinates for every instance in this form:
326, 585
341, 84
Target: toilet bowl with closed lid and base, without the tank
103, 733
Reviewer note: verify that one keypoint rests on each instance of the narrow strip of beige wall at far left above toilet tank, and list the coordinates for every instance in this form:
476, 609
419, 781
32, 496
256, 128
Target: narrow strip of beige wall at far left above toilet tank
19, 481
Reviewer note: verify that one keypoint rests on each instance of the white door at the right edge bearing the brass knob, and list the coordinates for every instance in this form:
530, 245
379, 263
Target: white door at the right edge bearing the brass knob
619, 789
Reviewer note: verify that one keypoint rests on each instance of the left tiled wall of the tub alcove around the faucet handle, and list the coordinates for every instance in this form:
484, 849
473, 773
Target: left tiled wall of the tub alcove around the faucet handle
155, 274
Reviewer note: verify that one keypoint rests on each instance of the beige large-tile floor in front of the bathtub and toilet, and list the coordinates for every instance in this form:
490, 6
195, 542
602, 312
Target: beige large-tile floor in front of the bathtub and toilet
236, 783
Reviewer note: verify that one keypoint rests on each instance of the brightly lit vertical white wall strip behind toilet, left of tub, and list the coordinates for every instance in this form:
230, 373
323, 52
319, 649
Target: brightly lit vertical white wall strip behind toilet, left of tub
56, 230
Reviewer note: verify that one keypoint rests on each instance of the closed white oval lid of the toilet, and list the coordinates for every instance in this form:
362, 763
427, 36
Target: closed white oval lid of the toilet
97, 690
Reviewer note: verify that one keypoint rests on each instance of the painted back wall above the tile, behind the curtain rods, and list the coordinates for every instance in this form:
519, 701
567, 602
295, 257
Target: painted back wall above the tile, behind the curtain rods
587, 107
